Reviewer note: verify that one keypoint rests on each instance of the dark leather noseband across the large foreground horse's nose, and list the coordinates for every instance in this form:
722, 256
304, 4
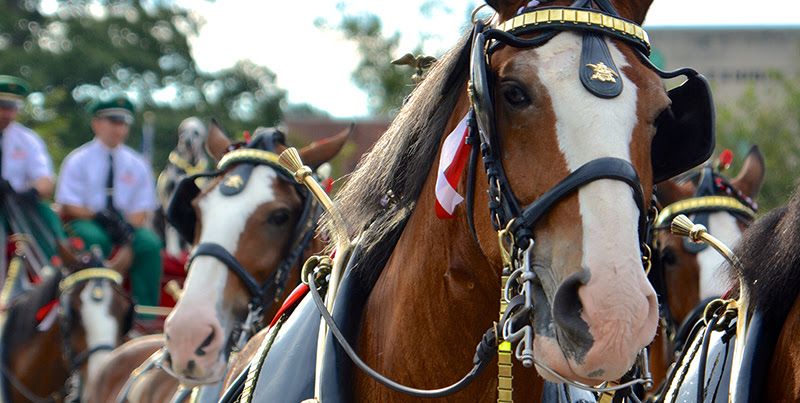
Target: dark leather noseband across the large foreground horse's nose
601, 168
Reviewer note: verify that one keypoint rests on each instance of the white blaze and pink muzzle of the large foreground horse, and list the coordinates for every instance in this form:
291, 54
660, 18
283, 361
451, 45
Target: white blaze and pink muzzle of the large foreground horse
618, 302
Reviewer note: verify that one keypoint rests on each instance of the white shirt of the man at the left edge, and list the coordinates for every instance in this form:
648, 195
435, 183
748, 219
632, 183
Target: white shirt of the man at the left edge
25, 158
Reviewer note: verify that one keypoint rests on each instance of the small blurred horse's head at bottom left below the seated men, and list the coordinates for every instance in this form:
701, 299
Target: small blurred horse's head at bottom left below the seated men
95, 313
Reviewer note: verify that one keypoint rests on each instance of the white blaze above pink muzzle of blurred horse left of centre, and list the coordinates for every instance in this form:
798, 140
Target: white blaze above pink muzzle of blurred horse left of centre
223, 221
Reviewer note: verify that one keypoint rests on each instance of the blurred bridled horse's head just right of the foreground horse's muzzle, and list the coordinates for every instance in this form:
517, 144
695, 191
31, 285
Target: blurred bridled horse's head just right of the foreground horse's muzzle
691, 271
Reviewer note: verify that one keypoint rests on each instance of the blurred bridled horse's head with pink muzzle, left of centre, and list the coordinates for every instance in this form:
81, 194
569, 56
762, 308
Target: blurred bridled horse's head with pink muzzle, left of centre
248, 227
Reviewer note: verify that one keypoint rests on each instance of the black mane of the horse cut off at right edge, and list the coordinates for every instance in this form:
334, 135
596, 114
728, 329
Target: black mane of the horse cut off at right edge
770, 255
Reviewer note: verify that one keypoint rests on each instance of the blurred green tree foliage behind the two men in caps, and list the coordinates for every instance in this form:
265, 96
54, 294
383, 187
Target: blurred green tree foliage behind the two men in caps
84, 50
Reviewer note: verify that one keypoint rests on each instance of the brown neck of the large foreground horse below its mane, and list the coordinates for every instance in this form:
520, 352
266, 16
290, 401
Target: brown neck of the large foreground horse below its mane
436, 297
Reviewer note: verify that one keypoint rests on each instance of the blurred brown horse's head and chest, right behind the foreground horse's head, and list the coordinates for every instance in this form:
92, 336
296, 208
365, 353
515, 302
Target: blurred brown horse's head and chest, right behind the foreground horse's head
685, 274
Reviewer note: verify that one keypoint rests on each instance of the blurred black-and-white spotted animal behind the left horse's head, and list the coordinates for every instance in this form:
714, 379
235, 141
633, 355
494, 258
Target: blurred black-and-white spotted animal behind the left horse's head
188, 158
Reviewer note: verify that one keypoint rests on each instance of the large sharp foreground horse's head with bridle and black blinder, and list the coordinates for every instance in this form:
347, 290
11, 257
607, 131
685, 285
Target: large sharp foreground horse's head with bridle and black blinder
578, 124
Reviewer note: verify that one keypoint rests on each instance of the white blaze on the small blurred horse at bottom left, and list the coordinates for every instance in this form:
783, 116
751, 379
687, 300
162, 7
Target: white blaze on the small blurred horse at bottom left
100, 325
